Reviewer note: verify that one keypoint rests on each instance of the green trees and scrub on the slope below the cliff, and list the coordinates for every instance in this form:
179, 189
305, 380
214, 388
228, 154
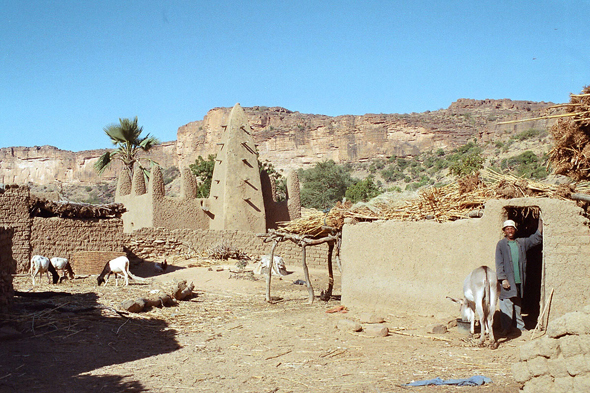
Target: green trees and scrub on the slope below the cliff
328, 182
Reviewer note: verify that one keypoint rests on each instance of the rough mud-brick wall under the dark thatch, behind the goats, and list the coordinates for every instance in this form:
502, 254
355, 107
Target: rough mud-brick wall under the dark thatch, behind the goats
63, 237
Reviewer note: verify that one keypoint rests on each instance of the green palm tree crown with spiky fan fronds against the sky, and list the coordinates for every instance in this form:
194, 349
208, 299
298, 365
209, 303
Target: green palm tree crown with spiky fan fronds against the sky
126, 135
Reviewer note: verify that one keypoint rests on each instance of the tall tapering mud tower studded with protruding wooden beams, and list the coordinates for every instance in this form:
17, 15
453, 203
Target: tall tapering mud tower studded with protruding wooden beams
236, 200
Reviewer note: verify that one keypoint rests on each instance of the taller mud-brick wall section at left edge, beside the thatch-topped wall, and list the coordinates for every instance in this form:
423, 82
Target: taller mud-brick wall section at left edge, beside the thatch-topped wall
14, 213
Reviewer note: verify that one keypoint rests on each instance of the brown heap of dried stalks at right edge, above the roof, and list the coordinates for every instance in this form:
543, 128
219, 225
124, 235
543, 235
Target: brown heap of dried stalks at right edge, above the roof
571, 154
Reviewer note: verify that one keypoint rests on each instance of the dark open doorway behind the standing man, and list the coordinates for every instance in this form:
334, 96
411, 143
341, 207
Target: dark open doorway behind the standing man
527, 221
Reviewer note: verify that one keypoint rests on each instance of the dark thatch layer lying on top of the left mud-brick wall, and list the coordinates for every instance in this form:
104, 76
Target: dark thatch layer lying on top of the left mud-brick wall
41, 207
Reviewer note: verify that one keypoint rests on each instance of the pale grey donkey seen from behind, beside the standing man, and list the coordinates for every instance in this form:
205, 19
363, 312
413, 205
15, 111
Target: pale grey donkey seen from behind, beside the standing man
481, 290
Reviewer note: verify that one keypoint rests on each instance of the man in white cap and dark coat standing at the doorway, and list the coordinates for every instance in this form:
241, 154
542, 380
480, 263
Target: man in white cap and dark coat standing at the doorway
511, 271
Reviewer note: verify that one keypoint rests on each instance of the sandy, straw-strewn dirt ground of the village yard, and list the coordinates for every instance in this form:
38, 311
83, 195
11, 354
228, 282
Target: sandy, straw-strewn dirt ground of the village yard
226, 338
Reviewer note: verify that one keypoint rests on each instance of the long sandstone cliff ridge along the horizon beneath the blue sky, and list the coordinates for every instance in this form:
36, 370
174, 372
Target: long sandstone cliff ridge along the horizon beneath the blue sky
292, 140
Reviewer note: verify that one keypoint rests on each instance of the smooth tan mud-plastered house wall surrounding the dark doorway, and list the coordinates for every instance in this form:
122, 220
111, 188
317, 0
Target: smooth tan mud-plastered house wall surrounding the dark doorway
412, 266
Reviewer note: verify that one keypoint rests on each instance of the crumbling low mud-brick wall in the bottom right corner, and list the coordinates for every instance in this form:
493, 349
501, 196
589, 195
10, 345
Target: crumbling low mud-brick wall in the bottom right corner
560, 360
